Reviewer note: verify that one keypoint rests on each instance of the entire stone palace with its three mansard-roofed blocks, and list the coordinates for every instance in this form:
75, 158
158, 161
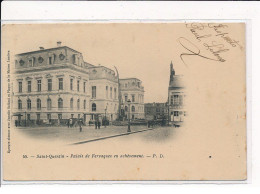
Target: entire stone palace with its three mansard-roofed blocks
54, 85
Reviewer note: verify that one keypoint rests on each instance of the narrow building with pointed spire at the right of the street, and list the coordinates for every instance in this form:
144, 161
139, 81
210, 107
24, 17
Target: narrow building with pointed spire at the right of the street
176, 97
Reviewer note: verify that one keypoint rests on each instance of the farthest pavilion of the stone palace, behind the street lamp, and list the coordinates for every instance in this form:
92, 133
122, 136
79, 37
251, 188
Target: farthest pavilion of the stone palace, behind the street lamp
132, 89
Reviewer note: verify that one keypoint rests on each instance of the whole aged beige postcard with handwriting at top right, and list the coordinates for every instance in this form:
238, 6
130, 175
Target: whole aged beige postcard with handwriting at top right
158, 101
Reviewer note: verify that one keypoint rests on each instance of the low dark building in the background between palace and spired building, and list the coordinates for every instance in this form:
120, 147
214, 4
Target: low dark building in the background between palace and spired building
155, 110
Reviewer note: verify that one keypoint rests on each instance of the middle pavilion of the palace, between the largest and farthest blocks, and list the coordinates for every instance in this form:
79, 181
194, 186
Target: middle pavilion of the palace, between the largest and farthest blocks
104, 92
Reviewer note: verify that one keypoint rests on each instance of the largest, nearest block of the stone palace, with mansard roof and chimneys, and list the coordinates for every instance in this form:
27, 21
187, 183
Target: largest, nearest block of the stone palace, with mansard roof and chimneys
50, 86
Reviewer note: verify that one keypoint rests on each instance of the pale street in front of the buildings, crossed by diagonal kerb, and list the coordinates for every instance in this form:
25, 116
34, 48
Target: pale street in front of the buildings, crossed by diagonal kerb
89, 133
